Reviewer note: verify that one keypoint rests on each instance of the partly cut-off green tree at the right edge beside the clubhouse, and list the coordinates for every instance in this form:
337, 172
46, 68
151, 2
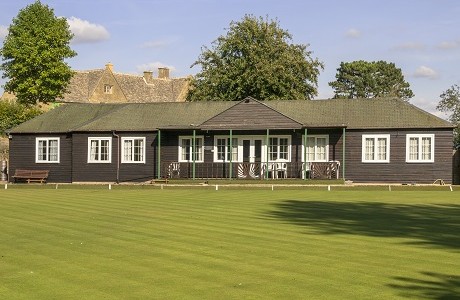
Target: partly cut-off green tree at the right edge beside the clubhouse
450, 103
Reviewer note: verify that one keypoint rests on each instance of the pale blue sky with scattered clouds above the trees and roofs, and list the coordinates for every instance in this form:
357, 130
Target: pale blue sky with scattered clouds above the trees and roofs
422, 37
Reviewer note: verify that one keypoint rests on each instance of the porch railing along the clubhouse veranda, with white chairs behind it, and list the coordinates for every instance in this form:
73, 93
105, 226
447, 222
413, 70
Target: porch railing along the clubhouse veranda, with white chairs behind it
255, 171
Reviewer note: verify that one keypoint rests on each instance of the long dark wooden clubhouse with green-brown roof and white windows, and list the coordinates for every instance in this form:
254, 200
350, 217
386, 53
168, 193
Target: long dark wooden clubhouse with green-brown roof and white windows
363, 140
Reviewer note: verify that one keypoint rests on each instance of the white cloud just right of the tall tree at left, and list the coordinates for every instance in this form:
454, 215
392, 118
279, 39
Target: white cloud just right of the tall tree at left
86, 32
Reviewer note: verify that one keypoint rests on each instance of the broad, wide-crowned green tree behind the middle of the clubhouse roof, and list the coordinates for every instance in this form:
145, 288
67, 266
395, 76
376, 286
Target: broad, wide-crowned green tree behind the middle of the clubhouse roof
255, 58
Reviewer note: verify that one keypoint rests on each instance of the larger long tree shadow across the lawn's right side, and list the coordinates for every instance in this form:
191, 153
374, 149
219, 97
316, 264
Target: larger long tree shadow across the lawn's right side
428, 225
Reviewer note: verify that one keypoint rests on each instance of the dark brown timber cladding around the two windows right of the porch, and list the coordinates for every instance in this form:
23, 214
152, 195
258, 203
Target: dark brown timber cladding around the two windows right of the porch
398, 170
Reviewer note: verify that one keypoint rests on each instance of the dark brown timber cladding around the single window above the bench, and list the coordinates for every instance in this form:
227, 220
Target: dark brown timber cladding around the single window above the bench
22, 156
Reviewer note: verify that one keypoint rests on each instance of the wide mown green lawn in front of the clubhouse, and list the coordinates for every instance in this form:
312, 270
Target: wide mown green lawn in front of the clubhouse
229, 244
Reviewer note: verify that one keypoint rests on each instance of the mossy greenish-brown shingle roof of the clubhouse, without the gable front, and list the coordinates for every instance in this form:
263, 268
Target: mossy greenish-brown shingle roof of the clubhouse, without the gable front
384, 113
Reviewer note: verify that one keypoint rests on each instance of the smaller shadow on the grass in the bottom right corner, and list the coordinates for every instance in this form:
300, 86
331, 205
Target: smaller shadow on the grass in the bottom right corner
435, 286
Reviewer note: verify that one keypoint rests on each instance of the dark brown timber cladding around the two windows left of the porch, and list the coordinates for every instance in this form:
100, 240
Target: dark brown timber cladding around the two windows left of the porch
107, 172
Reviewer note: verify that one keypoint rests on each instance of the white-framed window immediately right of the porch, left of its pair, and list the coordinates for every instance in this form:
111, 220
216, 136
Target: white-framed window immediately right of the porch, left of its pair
376, 148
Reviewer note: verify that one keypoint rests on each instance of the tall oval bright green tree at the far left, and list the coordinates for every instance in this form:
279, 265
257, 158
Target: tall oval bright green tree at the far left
33, 55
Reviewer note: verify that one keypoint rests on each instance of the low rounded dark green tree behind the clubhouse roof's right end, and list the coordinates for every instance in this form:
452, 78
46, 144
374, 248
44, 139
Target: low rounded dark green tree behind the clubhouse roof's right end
363, 79
